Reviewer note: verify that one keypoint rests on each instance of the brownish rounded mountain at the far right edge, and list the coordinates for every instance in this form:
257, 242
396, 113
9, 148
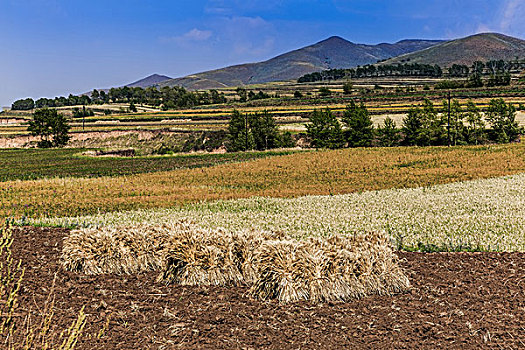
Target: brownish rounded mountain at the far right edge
480, 47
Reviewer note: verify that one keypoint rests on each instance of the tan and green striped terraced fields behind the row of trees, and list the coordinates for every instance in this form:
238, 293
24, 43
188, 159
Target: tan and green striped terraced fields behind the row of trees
390, 99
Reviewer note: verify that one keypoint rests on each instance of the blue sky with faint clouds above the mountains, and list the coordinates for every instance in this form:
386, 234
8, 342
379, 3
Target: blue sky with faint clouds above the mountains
57, 47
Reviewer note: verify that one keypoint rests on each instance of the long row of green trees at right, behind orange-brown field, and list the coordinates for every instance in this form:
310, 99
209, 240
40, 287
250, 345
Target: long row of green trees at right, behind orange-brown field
423, 126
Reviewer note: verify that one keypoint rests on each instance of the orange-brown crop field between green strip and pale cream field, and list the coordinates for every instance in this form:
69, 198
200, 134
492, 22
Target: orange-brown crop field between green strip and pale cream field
295, 175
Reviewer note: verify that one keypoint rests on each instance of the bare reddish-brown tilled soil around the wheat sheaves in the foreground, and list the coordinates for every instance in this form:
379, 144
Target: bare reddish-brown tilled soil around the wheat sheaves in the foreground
458, 300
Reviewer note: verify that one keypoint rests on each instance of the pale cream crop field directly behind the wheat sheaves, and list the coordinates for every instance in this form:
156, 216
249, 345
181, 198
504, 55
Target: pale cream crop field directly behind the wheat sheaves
480, 215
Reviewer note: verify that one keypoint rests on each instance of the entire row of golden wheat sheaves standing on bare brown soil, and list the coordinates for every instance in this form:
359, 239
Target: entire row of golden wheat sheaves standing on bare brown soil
337, 268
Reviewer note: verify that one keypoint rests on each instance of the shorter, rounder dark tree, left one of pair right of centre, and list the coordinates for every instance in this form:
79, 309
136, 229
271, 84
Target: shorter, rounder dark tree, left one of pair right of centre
324, 130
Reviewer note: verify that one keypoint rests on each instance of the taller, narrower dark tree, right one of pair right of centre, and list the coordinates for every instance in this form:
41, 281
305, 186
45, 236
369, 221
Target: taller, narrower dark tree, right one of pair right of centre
359, 127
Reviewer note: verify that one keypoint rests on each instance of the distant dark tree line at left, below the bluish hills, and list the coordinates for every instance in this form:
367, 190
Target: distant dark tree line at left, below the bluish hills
165, 97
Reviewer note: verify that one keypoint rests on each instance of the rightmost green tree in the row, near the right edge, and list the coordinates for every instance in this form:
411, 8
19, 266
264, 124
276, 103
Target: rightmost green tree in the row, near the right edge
502, 119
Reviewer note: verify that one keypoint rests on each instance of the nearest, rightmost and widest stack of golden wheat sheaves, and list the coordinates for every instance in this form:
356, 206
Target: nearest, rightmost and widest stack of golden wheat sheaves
339, 268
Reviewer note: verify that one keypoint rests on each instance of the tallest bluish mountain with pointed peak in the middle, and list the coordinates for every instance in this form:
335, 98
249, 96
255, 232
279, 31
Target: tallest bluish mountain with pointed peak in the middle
334, 52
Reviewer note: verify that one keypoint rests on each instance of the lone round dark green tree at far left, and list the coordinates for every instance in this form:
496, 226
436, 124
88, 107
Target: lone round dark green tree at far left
52, 127
